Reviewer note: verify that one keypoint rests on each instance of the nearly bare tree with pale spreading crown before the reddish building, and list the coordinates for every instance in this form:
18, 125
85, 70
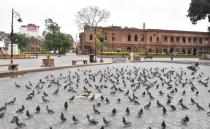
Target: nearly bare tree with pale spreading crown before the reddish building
91, 16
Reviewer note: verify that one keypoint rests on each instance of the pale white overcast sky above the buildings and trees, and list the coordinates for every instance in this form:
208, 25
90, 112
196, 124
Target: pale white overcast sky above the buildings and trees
157, 14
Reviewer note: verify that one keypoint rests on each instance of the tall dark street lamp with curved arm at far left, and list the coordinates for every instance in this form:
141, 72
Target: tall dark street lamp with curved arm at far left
12, 36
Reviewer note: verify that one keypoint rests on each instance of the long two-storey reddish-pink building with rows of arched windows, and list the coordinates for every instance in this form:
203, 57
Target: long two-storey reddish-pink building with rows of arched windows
146, 40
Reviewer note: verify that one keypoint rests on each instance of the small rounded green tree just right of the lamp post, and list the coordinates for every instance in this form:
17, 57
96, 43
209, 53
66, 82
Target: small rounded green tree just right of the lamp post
23, 42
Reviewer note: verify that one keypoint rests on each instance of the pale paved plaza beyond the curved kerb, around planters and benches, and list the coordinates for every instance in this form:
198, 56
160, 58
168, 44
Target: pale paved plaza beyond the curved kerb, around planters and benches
26, 64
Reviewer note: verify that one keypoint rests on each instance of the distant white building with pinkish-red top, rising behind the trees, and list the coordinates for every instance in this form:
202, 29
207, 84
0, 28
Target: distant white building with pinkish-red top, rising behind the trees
30, 30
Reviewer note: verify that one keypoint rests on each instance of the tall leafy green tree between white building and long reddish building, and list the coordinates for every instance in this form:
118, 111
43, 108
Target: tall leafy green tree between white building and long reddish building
54, 39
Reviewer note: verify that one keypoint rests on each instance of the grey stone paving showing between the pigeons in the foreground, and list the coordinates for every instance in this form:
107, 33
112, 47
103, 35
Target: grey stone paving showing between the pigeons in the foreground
81, 107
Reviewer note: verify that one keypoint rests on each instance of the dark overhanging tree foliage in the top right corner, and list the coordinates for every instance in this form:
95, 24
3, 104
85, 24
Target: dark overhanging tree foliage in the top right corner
199, 10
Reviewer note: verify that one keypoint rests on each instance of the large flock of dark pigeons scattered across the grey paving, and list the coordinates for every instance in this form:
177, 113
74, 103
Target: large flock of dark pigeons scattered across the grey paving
127, 95
